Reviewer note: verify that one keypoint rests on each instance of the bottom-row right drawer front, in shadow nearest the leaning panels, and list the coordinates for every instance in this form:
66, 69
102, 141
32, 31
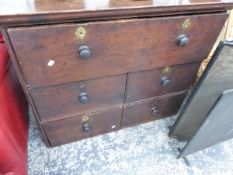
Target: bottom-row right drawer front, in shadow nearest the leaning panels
150, 110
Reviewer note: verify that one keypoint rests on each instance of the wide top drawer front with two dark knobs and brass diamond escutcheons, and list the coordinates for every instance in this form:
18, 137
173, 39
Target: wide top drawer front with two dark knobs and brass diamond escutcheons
63, 53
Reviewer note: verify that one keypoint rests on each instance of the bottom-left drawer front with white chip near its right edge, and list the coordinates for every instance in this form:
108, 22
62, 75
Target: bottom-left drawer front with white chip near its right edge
84, 126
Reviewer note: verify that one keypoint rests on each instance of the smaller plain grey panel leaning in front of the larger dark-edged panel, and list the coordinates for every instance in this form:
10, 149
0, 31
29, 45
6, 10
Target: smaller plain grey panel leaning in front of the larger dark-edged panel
216, 128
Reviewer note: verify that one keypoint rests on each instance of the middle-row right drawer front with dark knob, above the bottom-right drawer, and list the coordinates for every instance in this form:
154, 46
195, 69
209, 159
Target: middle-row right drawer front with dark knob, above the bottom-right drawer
148, 84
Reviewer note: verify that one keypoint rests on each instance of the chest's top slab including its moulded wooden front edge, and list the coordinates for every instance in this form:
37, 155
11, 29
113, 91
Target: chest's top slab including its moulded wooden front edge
45, 11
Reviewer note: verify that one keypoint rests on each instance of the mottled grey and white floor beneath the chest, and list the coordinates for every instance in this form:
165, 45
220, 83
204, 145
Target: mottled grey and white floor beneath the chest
142, 150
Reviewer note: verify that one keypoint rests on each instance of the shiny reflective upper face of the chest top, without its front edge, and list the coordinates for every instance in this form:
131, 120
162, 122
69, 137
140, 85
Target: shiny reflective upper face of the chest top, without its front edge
12, 7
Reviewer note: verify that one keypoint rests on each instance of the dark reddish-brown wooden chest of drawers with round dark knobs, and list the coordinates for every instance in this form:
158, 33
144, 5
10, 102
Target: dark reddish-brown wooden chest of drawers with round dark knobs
89, 69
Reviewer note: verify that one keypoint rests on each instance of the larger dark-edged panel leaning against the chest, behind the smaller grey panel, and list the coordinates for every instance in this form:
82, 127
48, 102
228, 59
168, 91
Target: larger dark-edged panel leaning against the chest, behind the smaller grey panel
216, 78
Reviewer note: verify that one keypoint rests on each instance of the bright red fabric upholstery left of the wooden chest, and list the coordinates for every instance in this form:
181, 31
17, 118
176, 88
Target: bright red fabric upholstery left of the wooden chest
13, 120
